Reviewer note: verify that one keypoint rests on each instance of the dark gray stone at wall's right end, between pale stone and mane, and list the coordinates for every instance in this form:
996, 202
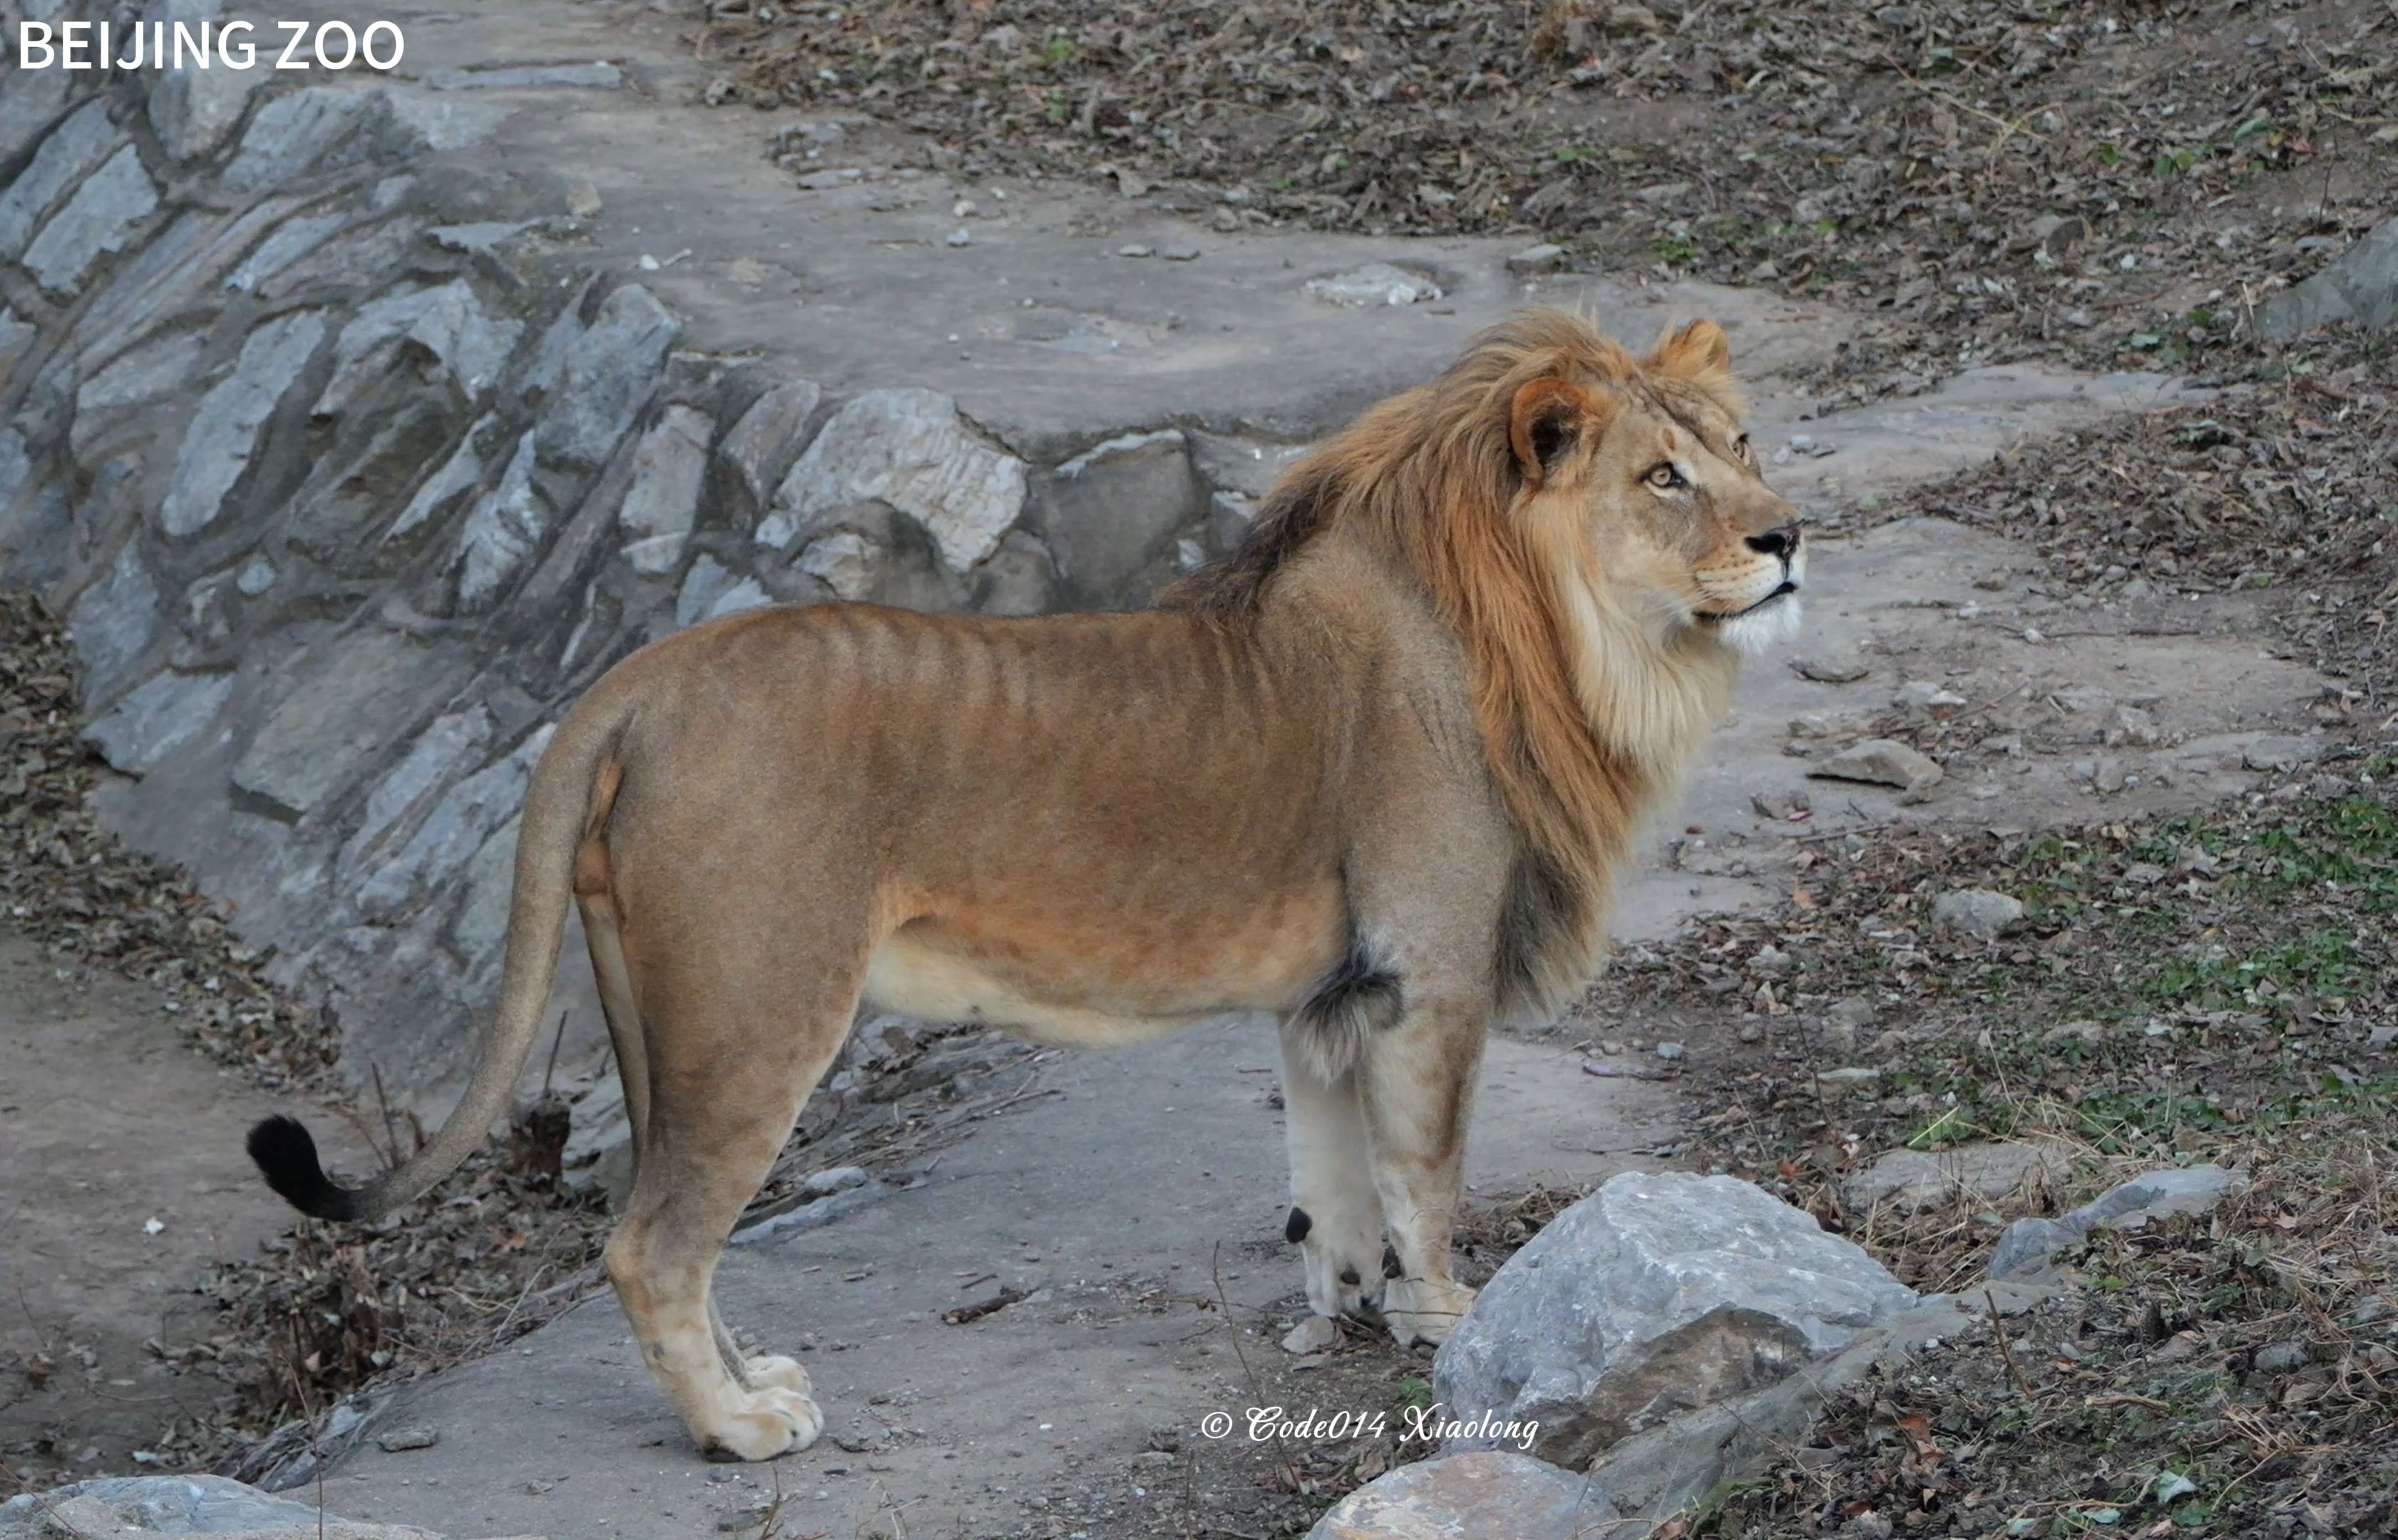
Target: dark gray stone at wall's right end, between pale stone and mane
1111, 515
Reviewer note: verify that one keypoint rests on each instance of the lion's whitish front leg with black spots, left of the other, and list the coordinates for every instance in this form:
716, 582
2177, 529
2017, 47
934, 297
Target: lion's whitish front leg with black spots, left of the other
1334, 1210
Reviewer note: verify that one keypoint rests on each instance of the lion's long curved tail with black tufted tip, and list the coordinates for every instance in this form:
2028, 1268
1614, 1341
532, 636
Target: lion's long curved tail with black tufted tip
567, 800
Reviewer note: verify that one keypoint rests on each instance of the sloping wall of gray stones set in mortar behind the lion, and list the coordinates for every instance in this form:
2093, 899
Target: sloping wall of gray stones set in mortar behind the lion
349, 479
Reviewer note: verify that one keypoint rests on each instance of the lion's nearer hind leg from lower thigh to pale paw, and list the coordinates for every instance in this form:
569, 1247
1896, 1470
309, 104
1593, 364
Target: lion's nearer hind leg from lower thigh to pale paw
735, 1049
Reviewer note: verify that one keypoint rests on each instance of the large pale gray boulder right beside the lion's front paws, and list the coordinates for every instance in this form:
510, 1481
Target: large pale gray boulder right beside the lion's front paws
1658, 1292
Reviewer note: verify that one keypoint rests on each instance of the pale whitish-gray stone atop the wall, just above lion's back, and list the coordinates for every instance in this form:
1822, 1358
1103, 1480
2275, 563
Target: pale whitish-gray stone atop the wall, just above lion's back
910, 450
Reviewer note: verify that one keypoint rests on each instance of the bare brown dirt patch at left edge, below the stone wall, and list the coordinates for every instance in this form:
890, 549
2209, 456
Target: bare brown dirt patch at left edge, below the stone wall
121, 1186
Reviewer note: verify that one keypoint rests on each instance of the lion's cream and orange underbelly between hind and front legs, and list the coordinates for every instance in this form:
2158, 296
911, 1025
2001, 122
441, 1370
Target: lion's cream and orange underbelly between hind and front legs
1111, 985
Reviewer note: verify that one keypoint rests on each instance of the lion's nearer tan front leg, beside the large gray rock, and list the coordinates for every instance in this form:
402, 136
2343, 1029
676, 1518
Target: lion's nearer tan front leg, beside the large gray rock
1416, 1090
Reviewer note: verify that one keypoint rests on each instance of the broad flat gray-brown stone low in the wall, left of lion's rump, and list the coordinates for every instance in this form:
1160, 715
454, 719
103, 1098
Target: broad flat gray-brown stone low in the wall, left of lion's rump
354, 697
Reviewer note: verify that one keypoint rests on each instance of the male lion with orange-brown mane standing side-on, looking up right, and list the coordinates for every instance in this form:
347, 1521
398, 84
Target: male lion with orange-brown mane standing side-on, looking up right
1370, 774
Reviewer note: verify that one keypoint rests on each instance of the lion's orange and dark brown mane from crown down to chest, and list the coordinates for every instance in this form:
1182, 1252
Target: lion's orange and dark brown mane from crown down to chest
1433, 479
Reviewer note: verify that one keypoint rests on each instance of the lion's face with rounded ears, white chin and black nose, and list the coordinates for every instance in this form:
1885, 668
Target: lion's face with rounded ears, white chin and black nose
1665, 486
